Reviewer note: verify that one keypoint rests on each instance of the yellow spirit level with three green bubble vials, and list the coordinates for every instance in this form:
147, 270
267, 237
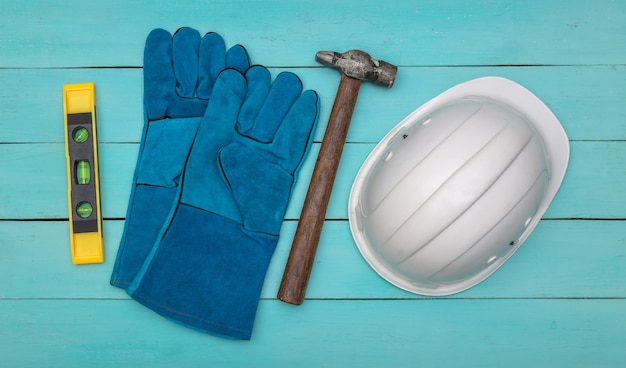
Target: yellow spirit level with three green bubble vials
81, 151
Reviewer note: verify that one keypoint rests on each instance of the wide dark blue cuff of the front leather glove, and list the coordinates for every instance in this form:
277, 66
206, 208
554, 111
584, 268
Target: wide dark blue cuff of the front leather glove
216, 290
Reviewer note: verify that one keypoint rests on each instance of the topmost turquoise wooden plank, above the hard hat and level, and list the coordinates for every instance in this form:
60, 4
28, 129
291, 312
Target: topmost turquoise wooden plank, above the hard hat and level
287, 33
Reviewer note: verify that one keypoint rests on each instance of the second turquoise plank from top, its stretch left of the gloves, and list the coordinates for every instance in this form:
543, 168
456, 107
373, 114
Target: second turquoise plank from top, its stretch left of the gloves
119, 94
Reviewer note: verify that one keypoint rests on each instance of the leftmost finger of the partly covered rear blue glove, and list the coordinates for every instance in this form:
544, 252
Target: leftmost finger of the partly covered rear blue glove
159, 79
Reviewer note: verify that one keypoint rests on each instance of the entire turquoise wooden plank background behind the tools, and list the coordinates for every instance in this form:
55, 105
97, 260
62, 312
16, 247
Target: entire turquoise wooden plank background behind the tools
559, 302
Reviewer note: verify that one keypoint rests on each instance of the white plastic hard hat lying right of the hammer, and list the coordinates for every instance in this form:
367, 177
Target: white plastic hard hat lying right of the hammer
453, 190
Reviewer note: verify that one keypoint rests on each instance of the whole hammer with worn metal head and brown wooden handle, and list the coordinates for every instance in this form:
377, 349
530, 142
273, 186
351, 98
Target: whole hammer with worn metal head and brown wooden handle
355, 66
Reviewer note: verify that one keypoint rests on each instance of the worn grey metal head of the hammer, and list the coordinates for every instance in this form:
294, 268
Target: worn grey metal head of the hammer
360, 65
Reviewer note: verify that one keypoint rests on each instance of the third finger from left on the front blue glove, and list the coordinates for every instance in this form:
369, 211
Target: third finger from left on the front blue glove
283, 93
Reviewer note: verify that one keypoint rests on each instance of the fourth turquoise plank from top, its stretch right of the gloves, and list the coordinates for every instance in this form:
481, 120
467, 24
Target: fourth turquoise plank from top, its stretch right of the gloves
561, 259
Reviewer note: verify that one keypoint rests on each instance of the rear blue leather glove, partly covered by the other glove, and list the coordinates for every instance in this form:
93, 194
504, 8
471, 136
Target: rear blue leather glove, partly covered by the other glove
179, 74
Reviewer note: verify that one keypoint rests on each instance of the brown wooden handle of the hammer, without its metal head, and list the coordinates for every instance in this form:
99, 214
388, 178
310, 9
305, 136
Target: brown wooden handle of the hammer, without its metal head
304, 246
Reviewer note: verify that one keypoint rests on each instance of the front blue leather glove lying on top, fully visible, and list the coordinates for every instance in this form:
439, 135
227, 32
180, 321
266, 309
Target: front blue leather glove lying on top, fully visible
207, 269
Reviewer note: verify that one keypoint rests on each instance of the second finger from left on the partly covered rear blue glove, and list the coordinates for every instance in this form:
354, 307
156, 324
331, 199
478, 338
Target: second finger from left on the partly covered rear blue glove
185, 49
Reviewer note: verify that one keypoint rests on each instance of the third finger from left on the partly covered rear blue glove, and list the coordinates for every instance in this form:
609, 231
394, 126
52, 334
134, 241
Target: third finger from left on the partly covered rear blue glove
211, 62
